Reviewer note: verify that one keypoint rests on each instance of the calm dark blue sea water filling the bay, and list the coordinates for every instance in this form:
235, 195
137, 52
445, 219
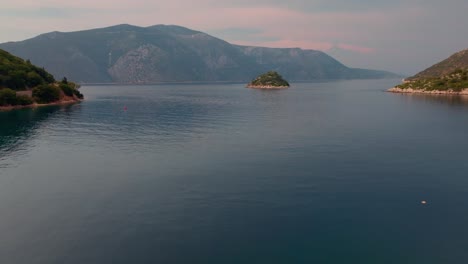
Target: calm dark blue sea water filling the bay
319, 173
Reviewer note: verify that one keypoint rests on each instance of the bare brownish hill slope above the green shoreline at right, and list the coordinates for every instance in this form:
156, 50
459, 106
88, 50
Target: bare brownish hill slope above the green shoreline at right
455, 62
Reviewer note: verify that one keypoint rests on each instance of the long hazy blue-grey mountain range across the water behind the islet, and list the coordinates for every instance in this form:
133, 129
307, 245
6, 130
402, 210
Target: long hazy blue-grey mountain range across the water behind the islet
161, 53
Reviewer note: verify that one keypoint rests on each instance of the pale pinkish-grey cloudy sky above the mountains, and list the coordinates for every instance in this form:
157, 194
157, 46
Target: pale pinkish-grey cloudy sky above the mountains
399, 36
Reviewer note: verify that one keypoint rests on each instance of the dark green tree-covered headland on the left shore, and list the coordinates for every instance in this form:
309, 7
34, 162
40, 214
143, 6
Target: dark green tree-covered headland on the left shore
24, 85
